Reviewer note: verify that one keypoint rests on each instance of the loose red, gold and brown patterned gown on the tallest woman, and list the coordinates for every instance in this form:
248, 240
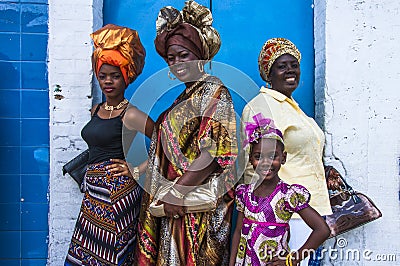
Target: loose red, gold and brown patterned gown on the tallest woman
202, 118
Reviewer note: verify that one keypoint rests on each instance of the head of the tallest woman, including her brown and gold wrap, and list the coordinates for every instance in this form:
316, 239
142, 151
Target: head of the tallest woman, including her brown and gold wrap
192, 31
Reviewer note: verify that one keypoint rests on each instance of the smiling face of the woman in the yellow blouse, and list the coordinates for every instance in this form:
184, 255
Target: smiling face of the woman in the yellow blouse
284, 75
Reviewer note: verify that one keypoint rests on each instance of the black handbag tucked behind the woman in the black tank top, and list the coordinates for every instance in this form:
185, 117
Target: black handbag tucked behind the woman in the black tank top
76, 168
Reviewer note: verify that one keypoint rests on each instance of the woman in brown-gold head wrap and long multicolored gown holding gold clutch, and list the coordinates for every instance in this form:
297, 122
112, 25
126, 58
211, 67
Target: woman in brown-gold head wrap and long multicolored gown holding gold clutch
194, 145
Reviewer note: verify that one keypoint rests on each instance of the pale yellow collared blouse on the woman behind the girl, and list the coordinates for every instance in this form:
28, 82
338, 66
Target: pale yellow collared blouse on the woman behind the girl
304, 143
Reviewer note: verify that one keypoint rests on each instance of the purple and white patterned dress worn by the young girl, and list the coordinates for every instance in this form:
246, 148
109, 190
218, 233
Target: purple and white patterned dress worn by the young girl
265, 229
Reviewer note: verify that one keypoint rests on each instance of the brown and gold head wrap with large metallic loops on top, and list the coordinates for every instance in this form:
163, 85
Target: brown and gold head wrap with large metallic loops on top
190, 29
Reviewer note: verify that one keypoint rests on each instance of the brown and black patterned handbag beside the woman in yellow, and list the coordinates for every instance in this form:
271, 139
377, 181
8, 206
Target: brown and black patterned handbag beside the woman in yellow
350, 209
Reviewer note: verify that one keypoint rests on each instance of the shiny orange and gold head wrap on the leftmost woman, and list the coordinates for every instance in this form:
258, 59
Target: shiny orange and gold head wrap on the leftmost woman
121, 47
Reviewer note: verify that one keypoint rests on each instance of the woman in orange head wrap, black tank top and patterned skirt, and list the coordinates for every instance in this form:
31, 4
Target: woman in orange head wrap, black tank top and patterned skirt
105, 232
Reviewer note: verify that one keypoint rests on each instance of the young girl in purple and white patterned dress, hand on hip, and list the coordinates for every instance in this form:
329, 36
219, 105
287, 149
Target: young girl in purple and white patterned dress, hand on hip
264, 208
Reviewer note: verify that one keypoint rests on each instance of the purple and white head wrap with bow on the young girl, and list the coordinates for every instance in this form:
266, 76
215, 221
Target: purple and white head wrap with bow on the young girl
262, 128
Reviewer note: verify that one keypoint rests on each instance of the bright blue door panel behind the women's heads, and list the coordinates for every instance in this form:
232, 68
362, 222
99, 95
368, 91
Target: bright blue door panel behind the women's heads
244, 26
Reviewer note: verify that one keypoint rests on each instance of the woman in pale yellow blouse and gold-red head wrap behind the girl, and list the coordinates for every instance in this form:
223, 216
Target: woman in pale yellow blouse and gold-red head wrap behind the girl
279, 65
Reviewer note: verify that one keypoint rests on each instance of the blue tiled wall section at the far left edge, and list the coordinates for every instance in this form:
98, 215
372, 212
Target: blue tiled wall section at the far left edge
24, 138
